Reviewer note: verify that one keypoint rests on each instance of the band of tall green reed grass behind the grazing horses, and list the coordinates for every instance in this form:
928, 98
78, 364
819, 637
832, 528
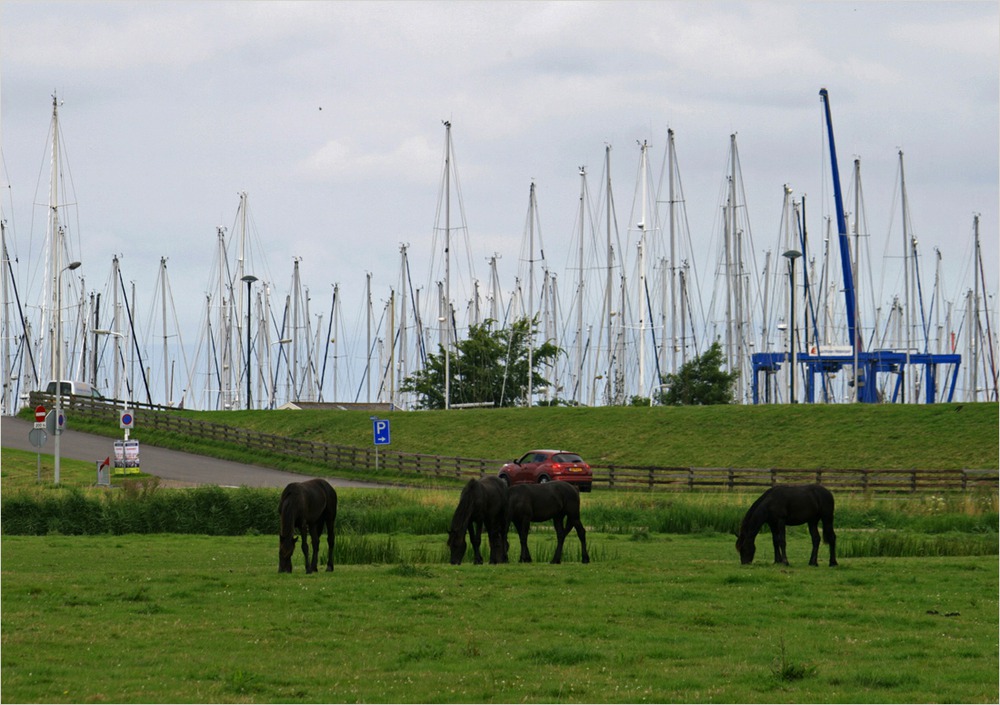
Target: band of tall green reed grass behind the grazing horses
868, 525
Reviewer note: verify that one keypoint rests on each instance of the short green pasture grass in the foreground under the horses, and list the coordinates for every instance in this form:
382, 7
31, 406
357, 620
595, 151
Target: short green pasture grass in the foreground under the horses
654, 618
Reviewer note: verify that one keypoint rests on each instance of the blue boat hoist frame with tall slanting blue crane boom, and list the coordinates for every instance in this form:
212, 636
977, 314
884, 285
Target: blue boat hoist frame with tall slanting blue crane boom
866, 364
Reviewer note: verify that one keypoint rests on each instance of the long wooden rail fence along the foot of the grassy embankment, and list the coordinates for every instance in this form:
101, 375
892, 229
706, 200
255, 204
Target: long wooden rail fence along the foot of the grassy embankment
626, 477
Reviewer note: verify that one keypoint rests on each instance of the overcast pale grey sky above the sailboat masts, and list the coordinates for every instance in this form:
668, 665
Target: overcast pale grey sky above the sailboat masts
329, 115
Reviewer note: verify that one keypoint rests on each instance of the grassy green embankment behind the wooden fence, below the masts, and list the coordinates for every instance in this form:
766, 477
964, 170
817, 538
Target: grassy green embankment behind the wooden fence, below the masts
943, 436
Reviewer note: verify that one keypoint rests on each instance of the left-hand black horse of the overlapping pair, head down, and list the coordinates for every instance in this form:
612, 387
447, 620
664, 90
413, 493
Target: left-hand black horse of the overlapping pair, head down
483, 503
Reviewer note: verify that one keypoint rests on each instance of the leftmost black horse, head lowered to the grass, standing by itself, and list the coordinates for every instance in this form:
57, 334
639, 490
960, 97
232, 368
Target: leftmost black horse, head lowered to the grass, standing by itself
306, 506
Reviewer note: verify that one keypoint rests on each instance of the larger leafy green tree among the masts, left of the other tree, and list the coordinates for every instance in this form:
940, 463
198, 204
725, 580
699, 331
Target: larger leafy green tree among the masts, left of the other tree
490, 366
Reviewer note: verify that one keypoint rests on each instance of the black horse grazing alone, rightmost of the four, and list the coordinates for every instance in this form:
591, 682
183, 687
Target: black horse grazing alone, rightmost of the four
788, 505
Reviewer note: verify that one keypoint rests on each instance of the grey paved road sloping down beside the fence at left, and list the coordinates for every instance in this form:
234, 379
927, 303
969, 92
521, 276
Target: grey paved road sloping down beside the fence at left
167, 464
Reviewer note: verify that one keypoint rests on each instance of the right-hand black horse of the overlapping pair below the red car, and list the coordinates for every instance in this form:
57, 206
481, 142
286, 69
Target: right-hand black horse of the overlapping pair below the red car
559, 501
